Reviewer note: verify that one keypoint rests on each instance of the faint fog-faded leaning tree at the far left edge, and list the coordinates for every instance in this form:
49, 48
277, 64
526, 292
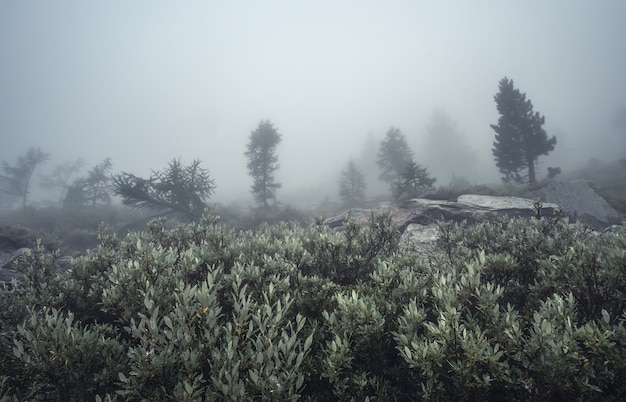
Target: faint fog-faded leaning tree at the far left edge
17, 177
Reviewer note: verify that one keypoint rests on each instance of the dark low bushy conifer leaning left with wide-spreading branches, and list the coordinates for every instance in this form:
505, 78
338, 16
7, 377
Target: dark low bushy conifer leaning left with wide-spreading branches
180, 189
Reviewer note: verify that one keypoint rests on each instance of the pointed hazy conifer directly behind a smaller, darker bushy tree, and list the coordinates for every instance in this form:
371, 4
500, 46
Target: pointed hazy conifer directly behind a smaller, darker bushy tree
394, 154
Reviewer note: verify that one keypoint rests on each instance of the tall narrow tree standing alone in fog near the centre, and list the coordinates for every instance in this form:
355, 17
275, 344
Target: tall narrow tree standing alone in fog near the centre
263, 162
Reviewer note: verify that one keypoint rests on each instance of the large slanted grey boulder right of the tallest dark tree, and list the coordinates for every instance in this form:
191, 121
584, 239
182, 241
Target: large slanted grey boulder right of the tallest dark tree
579, 201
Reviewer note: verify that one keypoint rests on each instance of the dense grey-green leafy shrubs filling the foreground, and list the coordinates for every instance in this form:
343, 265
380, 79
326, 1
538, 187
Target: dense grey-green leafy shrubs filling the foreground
513, 310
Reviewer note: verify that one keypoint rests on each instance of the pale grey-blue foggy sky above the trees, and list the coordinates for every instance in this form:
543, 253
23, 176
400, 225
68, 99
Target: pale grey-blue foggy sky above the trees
143, 82
